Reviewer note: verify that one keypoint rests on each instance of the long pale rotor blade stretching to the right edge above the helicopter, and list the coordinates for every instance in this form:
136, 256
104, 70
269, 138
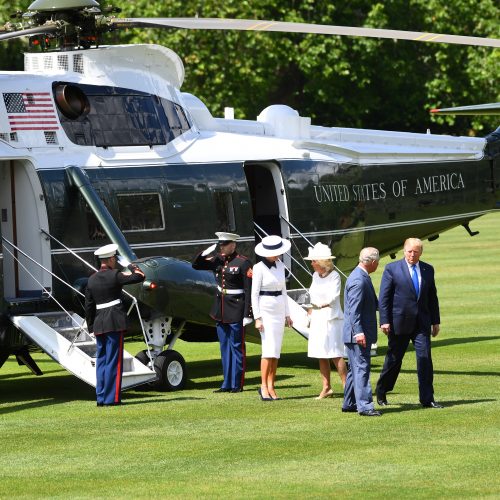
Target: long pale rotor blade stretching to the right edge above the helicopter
321, 29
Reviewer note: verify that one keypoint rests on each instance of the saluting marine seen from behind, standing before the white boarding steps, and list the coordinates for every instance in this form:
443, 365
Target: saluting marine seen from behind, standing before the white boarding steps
107, 318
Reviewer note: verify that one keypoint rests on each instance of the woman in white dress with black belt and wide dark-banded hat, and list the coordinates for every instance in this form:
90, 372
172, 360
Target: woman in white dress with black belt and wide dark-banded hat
270, 309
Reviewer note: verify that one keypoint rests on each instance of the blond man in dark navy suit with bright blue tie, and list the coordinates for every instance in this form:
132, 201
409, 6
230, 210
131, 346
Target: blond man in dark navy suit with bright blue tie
409, 310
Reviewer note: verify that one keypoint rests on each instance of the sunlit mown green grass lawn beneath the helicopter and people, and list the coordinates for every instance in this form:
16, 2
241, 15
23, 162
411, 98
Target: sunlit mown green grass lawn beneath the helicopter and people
56, 443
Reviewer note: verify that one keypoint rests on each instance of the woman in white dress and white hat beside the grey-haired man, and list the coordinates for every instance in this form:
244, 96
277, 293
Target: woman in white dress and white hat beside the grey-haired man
326, 317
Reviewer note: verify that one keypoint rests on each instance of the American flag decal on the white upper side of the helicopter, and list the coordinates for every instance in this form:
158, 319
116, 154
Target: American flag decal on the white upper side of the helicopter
30, 111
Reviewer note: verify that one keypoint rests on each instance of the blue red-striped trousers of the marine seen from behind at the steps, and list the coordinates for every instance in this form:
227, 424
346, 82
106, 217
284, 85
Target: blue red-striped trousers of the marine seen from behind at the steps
109, 367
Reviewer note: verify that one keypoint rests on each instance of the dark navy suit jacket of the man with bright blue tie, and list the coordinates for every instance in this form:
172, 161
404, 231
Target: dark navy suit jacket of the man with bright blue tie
398, 302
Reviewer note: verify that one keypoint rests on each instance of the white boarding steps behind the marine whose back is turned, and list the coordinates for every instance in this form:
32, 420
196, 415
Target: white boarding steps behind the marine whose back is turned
65, 339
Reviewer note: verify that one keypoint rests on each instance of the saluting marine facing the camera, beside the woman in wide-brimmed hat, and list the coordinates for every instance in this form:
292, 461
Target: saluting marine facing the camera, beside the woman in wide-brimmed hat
231, 308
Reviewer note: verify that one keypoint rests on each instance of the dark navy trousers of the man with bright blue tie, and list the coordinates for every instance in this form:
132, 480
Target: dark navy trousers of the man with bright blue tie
394, 359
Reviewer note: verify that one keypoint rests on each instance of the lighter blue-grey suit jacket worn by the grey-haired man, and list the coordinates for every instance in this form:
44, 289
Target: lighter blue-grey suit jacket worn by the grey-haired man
360, 308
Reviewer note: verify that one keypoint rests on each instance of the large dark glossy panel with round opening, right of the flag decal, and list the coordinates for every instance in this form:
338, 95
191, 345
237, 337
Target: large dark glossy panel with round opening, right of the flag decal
113, 116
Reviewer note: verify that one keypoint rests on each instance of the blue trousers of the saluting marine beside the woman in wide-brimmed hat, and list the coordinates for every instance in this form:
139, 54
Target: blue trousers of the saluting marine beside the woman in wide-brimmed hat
232, 352
